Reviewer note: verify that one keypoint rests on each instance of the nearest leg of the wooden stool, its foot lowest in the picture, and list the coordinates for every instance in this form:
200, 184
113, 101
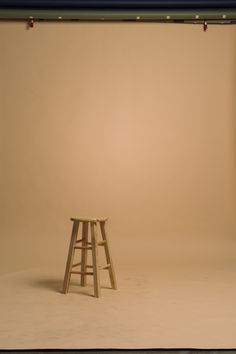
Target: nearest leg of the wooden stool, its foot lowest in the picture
96, 275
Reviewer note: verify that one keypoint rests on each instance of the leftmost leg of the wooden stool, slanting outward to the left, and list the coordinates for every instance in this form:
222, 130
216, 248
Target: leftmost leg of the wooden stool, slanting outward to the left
70, 257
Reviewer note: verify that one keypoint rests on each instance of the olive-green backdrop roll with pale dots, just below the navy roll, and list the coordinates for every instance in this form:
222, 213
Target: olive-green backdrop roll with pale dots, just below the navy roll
226, 16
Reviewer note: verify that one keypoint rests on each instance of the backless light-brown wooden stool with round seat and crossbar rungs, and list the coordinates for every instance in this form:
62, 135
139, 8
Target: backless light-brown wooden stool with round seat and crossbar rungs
85, 246
